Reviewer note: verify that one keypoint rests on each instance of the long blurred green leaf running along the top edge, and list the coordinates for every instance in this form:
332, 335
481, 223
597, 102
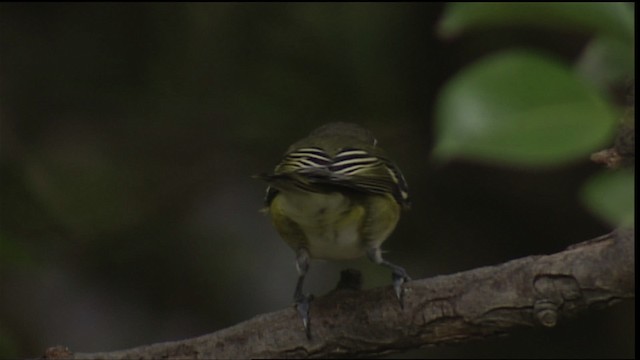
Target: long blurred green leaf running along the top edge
612, 18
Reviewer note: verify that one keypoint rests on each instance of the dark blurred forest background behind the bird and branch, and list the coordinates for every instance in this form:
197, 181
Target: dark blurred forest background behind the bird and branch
129, 134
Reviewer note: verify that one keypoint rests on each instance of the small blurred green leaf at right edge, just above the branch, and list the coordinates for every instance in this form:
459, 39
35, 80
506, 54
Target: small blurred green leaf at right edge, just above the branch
610, 195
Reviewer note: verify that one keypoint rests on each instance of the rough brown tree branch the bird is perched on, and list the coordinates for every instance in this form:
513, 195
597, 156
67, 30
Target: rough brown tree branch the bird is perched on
532, 291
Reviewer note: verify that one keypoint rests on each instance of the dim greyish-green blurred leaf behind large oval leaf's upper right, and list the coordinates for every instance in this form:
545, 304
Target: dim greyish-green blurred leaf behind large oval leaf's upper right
606, 61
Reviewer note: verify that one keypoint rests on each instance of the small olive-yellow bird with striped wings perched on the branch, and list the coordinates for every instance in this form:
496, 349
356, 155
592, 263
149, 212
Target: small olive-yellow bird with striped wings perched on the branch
336, 196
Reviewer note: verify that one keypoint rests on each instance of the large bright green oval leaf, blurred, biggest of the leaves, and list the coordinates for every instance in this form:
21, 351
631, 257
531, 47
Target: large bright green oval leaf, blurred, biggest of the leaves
520, 108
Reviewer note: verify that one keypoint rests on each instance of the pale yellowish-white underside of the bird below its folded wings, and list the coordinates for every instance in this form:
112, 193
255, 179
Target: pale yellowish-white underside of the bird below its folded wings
331, 223
